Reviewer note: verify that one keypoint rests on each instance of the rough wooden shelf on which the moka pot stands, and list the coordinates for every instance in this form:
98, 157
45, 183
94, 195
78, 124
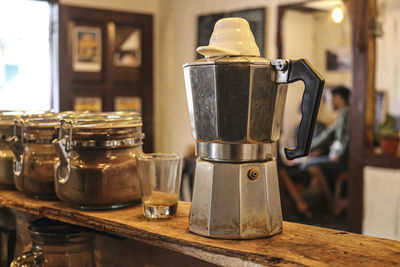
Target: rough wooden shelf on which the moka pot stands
297, 245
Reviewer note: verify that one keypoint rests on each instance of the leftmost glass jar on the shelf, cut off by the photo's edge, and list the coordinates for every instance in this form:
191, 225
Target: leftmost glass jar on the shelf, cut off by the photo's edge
7, 119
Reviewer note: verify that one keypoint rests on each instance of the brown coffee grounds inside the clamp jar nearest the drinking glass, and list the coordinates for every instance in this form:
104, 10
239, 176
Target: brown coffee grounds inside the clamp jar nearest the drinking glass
101, 178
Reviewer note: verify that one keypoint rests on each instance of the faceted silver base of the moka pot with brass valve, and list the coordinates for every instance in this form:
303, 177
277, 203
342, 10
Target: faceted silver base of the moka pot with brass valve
236, 200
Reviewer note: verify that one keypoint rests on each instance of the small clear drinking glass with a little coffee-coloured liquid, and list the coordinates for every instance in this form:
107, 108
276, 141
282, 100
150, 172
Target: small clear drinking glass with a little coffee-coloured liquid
160, 176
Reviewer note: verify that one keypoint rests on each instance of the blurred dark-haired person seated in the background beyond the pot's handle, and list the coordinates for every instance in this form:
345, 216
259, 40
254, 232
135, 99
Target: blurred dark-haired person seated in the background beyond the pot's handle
325, 169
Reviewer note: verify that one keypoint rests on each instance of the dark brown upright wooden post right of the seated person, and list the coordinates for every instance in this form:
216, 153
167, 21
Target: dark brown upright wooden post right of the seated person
363, 13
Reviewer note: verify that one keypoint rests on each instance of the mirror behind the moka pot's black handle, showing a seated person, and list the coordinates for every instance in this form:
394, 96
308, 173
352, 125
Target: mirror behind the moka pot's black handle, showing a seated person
316, 187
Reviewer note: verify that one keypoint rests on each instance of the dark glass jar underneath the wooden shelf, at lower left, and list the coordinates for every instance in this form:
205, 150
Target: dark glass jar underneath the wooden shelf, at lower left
57, 244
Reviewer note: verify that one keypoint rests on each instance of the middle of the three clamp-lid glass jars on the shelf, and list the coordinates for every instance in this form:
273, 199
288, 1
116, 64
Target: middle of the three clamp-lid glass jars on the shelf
35, 155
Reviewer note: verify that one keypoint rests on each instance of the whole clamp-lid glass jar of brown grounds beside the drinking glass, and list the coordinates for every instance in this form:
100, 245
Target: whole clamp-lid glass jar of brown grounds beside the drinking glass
97, 168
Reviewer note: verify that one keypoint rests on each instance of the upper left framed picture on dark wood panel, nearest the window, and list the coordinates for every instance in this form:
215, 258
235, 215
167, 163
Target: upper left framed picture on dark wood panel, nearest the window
86, 49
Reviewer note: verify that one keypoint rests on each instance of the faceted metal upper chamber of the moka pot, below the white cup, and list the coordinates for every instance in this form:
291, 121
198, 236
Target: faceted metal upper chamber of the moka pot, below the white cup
234, 100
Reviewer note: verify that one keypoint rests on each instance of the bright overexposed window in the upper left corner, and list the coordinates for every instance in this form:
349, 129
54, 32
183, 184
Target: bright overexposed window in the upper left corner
25, 73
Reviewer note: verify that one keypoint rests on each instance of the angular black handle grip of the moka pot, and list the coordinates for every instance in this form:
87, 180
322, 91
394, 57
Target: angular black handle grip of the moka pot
302, 70
